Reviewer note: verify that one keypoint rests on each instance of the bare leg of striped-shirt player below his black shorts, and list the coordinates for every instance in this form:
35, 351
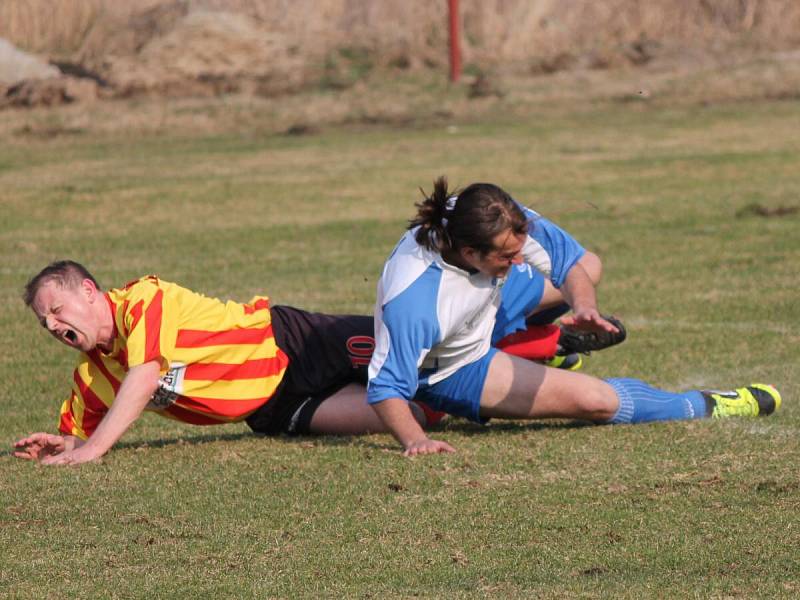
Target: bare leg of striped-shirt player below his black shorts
347, 413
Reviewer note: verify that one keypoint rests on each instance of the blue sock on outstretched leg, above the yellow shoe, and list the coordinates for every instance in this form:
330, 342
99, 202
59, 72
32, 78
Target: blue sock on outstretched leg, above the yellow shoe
640, 403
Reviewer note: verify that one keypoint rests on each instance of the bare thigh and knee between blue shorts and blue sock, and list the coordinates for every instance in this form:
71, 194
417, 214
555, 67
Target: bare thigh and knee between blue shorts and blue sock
519, 389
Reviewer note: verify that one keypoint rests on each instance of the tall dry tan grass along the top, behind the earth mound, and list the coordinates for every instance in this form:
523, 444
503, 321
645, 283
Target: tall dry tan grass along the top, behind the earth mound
500, 30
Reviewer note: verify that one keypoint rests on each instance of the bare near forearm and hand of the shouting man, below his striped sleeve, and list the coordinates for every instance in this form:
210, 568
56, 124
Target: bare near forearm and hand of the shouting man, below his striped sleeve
135, 392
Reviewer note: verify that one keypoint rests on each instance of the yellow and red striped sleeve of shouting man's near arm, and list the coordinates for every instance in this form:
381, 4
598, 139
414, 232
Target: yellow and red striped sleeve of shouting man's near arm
149, 324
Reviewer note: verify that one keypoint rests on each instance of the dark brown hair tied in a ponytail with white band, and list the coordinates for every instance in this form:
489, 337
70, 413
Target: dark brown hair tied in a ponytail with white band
471, 217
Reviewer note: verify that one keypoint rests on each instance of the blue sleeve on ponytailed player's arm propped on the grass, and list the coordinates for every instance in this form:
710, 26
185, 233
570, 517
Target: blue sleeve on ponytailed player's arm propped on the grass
406, 328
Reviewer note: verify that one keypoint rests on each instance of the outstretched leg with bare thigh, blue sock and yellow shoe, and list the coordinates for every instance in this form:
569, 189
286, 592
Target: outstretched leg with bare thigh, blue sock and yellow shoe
519, 389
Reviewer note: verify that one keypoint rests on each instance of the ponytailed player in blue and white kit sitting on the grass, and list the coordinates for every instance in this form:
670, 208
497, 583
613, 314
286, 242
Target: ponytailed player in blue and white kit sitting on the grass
463, 276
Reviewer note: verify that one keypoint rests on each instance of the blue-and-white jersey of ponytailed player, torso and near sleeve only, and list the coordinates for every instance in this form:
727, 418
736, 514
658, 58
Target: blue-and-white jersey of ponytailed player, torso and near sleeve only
431, 318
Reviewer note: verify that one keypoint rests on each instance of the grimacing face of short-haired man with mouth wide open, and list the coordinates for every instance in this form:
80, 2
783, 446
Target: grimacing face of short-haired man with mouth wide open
67, 313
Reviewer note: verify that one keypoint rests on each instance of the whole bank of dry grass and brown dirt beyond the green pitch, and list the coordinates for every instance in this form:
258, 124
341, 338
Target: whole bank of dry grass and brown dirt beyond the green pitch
385, 61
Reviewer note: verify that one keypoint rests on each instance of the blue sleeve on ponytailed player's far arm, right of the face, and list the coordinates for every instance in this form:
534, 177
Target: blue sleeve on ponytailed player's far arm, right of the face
549, 249
